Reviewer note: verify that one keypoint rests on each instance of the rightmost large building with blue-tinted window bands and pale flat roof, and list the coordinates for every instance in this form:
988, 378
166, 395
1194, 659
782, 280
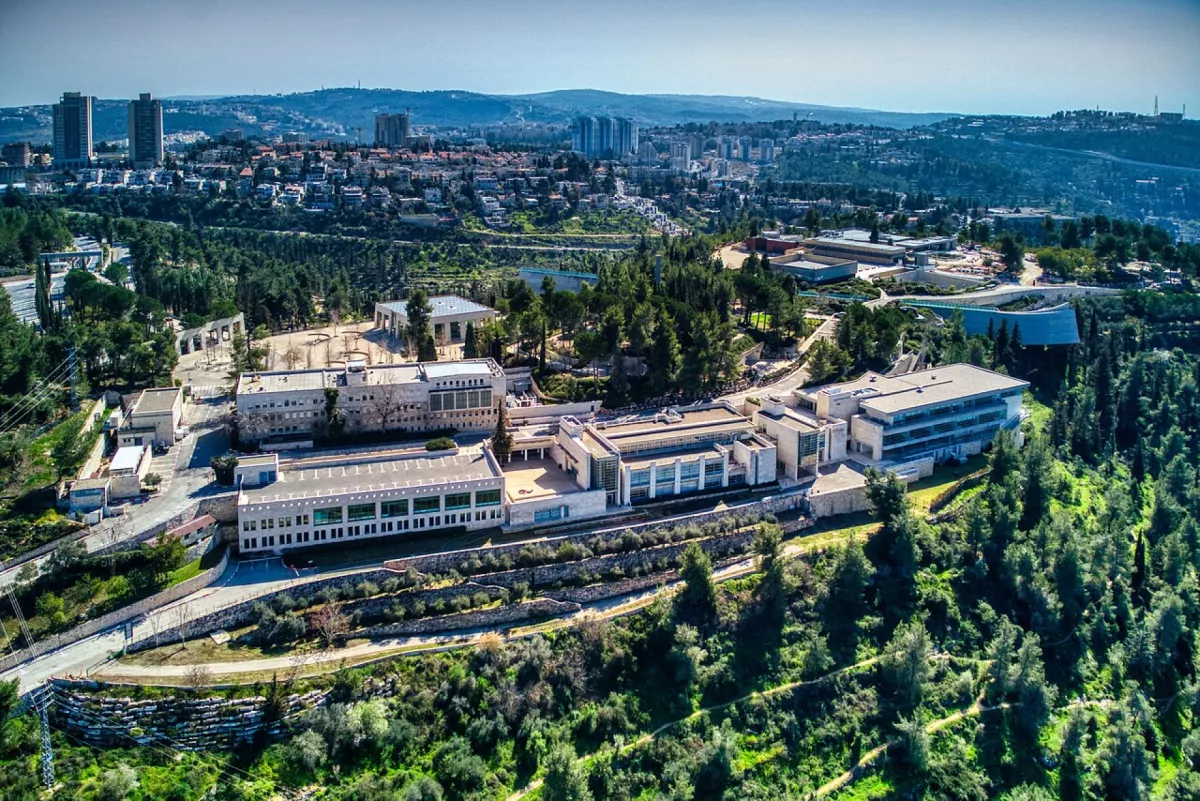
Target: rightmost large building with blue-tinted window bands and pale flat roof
941, 413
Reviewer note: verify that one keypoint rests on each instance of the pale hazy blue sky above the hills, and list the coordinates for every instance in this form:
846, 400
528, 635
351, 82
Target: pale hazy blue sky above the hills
1029, 57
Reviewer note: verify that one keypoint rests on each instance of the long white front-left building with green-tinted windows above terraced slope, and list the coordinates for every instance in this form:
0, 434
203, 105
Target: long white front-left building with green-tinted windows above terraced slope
346, 499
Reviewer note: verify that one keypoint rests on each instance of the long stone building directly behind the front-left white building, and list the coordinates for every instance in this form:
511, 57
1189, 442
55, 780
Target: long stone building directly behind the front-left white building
292, 408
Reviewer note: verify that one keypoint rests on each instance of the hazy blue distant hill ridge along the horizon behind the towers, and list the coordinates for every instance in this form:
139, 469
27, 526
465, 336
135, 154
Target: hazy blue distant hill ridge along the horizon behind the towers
339, 112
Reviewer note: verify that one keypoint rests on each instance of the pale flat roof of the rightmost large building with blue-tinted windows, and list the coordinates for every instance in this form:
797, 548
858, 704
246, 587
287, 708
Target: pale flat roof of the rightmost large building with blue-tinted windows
892, 394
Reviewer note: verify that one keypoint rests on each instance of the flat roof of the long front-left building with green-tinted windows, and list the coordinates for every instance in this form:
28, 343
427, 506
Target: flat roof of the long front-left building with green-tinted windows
327, 477
